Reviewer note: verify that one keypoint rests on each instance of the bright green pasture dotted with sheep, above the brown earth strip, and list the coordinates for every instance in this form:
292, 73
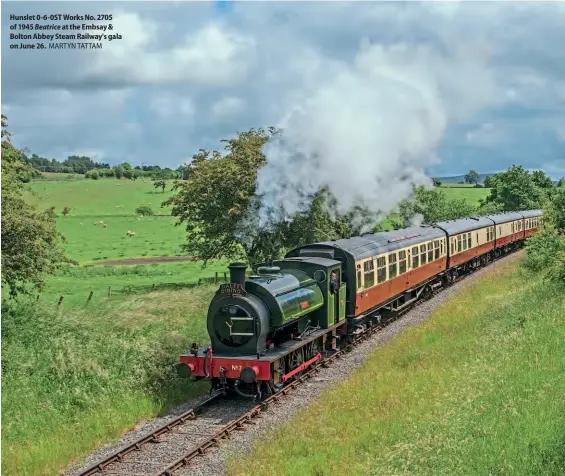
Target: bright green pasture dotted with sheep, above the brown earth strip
114, 202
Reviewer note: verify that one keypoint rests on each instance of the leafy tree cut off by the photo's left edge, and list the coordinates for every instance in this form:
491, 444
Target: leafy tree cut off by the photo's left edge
30, 246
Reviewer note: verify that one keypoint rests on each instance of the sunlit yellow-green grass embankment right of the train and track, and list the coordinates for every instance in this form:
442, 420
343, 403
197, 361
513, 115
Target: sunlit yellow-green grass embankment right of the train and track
477, 389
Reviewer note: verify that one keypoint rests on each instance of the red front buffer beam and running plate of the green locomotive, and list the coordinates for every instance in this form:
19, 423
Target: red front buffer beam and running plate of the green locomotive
205, 363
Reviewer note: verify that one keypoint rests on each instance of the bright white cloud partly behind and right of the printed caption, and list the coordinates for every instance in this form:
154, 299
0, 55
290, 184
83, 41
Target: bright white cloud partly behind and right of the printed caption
213, 55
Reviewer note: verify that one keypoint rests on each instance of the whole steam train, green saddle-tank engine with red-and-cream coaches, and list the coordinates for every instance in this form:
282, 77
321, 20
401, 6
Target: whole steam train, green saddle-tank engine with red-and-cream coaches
269, 327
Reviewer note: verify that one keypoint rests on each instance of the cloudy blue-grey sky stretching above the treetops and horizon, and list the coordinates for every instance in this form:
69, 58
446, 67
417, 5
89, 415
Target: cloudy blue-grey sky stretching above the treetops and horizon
468, 85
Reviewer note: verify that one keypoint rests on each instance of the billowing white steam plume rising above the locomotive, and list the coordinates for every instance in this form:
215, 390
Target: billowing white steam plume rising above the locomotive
368, 130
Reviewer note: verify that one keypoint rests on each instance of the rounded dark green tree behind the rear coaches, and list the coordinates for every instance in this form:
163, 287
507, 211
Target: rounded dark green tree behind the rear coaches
514, 190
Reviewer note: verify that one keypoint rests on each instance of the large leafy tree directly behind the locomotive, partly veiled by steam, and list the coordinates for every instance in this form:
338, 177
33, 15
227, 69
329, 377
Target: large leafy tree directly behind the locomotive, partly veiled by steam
218, 206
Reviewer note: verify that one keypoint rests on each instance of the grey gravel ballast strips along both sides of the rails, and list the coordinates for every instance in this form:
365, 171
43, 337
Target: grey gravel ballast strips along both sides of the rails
213, 463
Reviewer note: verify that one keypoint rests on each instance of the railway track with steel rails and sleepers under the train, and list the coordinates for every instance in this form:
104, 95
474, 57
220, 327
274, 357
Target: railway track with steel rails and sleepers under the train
177, 443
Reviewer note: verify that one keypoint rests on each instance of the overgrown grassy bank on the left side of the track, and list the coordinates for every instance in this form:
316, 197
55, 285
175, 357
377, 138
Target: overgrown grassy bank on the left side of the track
75, 379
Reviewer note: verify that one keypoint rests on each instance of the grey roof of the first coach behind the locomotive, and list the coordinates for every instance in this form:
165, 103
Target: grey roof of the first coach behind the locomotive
374, 244
